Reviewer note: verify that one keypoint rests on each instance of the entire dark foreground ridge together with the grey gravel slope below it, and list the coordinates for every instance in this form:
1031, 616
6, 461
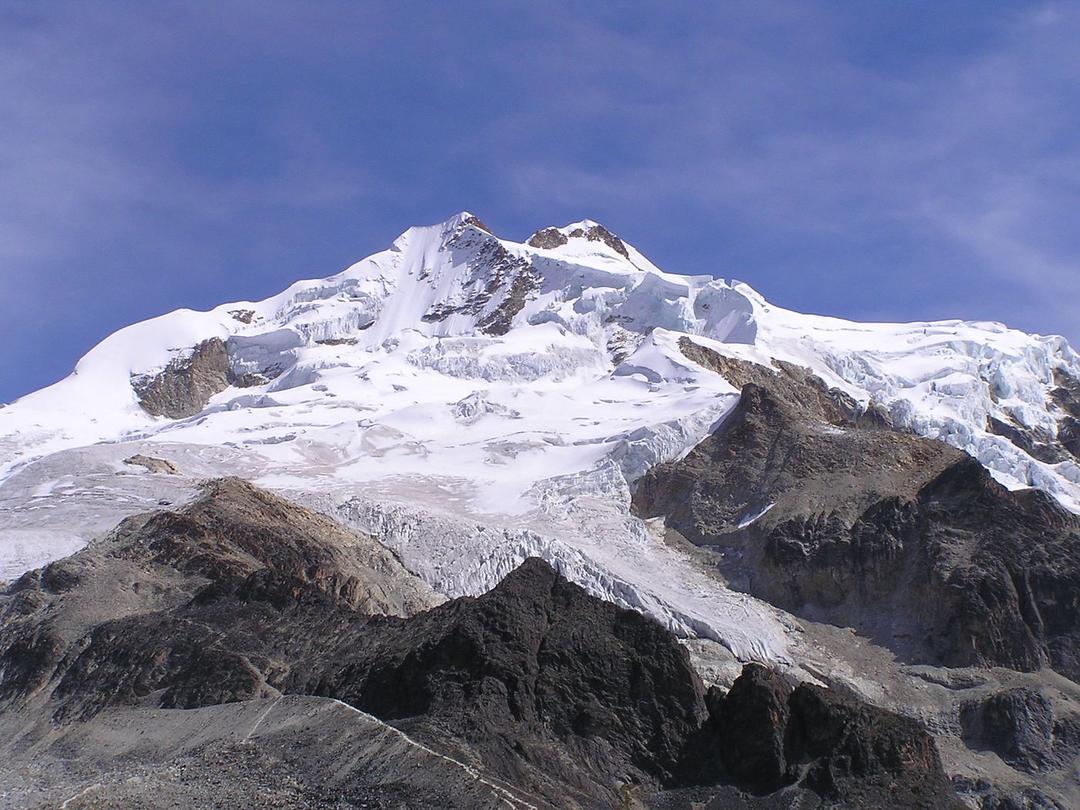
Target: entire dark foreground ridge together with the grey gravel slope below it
561, 699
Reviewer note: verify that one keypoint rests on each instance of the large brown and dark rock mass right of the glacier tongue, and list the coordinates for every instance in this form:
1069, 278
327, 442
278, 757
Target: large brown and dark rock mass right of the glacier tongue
904, 538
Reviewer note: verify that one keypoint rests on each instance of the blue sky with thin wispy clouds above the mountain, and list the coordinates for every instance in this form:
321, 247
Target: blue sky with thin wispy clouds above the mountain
873, 160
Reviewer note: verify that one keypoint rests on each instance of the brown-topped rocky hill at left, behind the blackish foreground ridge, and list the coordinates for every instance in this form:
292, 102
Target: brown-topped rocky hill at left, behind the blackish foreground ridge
160, 562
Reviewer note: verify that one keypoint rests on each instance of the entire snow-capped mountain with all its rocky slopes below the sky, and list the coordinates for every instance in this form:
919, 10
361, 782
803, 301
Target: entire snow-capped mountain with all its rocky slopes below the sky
482, 523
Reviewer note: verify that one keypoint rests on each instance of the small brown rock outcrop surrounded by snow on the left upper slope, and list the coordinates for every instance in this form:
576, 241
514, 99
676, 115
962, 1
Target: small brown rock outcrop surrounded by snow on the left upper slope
186, 385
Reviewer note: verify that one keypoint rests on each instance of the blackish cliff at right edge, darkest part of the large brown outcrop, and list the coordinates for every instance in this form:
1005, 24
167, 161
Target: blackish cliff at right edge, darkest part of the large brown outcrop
1007, 572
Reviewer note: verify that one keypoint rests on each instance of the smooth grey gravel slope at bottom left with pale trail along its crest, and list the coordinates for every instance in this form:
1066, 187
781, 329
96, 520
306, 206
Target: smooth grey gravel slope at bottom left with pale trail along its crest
288, 753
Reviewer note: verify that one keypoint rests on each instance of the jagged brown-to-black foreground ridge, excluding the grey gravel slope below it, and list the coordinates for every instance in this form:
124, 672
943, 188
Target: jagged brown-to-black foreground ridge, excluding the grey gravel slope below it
244, 596
